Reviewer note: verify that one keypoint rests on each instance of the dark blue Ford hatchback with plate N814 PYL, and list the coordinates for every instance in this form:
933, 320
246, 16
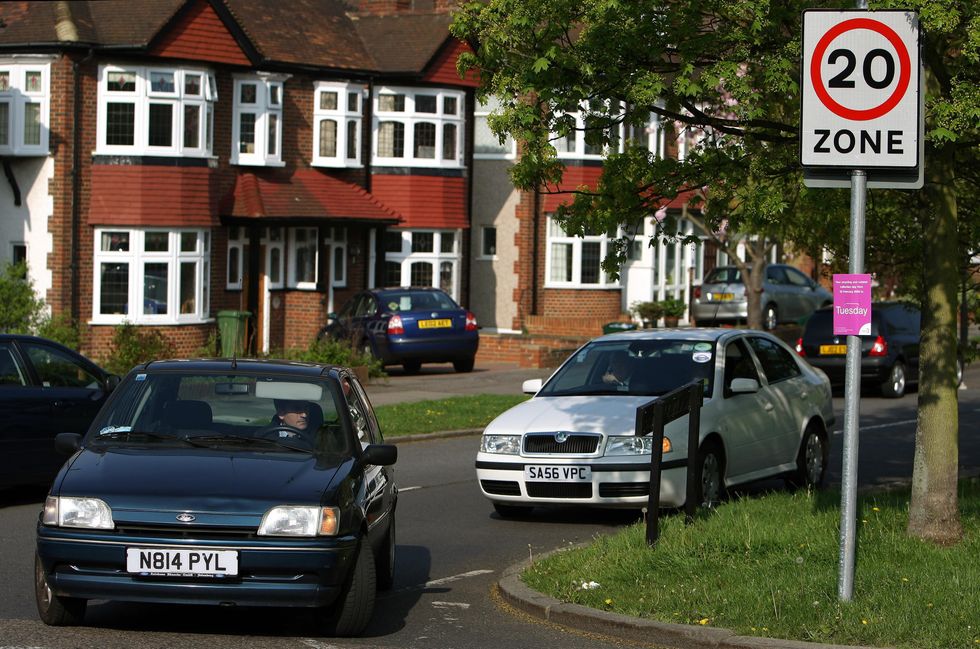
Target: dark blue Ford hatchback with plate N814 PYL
224, 482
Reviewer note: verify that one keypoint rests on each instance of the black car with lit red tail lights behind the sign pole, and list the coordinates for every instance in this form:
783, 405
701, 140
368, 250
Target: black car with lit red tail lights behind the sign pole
889, 354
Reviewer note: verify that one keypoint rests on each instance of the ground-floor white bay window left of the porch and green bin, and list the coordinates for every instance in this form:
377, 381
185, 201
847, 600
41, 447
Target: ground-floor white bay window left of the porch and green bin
148, 276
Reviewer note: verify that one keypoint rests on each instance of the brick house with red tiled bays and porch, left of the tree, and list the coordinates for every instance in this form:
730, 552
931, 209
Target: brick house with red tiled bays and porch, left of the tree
169, 159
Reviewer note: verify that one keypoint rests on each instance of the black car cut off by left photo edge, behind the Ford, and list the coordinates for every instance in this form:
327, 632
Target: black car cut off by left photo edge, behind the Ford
45, 389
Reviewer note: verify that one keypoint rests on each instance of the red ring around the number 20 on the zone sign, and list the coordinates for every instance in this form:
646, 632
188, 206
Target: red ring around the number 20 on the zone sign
904, 64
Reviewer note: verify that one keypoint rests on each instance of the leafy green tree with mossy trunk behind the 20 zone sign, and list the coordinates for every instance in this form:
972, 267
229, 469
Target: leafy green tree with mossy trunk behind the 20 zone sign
729, 69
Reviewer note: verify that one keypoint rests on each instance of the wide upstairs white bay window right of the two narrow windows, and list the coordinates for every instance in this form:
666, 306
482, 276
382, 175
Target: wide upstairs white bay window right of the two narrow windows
410, 117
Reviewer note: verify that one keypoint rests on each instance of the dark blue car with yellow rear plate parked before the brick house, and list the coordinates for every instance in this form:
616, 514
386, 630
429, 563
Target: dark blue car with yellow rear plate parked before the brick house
410, 326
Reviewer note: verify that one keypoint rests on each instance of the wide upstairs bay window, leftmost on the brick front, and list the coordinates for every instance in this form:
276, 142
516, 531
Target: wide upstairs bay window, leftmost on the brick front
155, 111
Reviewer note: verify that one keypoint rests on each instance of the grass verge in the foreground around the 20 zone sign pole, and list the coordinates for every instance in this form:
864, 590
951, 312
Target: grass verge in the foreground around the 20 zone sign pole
767, 566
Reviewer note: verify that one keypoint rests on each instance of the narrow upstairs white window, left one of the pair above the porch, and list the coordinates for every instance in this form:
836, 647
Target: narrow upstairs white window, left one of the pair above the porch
268, 151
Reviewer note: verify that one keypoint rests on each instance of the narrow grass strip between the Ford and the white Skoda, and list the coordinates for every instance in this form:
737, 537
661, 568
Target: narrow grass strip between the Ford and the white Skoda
456, 413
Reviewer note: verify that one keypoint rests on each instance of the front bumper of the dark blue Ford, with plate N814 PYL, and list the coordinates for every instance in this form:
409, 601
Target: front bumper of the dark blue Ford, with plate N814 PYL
271, 572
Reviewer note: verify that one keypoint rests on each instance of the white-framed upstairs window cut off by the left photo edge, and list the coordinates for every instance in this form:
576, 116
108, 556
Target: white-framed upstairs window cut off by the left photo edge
18, 96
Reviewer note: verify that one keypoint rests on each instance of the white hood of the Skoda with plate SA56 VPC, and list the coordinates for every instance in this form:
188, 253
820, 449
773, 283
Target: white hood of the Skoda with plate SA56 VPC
611, 415
